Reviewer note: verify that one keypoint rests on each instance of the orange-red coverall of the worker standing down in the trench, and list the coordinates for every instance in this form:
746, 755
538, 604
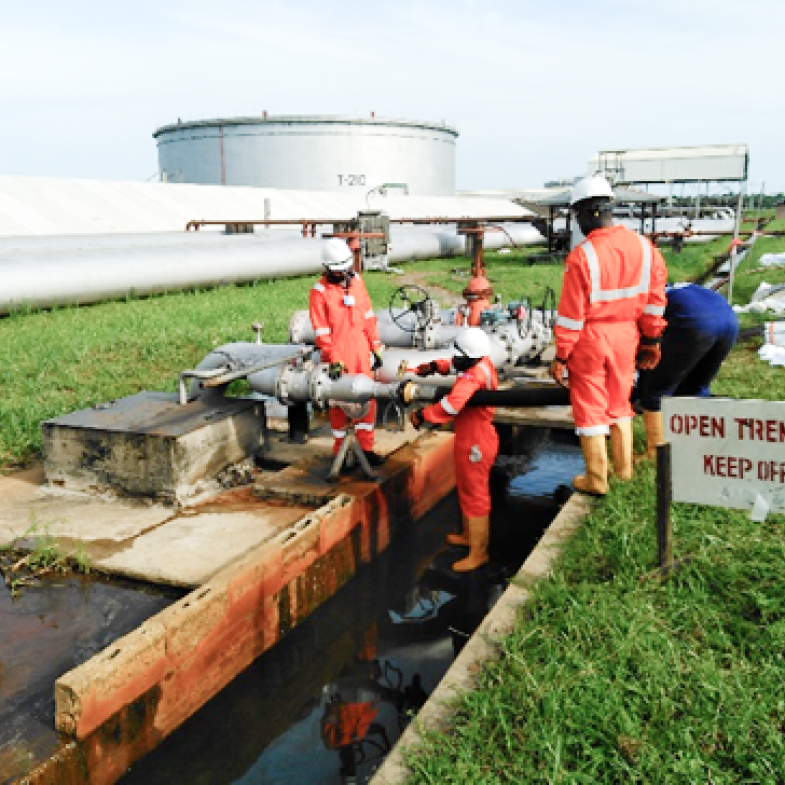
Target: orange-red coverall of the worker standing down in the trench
476, 440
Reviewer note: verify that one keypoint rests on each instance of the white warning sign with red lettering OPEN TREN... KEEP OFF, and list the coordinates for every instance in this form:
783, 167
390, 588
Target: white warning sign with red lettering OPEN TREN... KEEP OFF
727, 452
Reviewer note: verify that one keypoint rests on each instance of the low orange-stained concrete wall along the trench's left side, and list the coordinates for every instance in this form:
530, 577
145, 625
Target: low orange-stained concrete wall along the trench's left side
123, 702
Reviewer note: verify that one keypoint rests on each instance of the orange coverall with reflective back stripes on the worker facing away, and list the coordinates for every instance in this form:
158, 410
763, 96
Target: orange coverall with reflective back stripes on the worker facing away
614, 291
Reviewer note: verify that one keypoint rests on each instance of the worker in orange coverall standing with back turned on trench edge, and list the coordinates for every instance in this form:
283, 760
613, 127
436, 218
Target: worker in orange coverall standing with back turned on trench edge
609, 316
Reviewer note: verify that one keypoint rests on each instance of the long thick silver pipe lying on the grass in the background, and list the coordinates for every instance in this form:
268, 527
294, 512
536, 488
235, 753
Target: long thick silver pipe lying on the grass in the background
42, 272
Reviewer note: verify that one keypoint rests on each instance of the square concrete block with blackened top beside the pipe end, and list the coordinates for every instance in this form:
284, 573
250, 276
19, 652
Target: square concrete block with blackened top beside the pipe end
147, 444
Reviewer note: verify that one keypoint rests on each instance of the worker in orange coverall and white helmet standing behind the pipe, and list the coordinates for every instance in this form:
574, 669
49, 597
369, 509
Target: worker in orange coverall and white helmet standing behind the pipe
347, 337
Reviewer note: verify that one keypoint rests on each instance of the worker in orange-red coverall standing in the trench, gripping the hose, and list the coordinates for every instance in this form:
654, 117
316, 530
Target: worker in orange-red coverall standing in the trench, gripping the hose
476, 440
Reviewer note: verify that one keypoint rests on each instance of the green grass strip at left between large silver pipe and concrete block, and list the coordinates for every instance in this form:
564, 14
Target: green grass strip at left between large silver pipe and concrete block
54, 362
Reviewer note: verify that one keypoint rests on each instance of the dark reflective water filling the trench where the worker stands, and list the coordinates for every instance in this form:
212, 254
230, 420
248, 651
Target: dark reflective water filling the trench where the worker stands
327, 704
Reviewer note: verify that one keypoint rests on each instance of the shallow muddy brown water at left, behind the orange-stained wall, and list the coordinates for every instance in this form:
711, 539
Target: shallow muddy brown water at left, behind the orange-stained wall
45, 632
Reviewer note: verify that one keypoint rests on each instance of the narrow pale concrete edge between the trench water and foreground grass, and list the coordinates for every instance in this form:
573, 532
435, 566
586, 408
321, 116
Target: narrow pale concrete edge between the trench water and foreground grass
436, 714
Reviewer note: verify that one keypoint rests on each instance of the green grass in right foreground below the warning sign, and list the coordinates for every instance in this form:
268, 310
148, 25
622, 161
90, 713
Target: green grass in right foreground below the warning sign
609, 678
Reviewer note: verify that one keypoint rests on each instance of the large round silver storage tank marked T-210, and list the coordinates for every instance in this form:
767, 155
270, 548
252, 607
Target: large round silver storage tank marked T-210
319, 153
